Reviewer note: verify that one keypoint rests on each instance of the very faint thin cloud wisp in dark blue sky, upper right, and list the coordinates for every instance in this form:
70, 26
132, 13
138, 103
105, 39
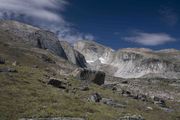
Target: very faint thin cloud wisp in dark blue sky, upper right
168, 15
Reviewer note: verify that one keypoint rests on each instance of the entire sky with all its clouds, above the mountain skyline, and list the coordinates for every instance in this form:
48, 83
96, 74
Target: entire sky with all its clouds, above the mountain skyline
115, 23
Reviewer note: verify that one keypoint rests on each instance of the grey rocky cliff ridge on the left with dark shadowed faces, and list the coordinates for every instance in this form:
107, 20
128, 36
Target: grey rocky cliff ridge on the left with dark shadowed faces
35, 37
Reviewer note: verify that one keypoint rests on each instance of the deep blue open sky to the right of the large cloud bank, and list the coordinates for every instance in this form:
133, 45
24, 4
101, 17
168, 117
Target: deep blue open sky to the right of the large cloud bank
111, 21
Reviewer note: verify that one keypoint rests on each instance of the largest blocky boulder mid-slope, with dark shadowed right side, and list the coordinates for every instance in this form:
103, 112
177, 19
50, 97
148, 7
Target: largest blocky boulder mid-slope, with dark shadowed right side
96, 77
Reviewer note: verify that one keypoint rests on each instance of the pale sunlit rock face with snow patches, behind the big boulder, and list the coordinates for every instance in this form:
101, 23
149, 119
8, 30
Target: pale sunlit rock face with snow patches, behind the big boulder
131, 62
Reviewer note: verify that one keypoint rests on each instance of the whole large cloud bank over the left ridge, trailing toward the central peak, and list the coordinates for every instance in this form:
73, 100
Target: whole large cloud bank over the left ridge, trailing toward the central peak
42, 13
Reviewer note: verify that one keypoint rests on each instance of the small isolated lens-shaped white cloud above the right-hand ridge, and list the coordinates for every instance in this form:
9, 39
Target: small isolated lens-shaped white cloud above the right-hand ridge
150, 39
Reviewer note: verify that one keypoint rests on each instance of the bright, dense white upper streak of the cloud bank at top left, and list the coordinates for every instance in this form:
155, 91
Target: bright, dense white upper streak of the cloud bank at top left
38, 9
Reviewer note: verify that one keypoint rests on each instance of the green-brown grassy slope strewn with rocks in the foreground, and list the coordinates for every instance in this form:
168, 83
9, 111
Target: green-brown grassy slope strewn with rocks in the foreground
24, 94
